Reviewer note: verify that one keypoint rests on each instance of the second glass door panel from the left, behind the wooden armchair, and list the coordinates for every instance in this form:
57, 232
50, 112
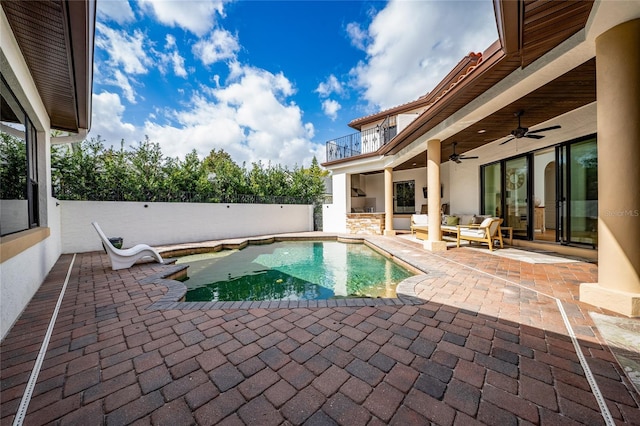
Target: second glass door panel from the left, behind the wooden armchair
516, 200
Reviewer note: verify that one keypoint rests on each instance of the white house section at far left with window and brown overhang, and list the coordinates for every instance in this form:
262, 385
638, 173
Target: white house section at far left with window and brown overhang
46, 66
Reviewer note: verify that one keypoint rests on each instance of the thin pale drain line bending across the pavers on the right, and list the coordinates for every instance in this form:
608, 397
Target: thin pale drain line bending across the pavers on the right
595, 389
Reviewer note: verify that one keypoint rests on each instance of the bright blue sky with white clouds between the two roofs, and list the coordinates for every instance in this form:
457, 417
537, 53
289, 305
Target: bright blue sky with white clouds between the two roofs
269, 80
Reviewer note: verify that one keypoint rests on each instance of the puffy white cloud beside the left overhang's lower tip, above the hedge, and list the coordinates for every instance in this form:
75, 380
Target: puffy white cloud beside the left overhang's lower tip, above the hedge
107, 120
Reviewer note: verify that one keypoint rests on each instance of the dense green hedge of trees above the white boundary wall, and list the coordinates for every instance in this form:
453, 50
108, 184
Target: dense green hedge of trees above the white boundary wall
89, 171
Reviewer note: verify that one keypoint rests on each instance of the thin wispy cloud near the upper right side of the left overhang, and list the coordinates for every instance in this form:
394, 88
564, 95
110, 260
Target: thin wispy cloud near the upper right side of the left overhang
127, 51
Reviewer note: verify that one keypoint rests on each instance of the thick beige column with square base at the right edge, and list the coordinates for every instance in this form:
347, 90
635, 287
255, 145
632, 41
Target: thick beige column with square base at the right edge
618, 94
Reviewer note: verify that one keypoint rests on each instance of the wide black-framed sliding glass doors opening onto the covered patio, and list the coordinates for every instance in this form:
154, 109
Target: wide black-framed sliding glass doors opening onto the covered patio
546, 197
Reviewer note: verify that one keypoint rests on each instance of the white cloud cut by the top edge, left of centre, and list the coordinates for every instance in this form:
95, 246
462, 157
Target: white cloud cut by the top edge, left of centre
197, 17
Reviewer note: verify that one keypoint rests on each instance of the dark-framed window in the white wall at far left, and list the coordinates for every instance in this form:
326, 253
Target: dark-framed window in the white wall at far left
18, 167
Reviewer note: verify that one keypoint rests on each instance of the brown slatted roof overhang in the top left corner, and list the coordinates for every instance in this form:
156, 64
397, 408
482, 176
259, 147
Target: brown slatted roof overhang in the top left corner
56, 39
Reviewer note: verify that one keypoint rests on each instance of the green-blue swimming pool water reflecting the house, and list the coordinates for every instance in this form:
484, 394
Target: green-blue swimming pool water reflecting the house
301, 270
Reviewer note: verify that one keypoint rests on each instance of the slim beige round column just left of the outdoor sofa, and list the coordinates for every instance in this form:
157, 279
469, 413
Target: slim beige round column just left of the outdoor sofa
434, 242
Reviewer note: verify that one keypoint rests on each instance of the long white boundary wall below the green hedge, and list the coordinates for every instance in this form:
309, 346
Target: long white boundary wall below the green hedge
172, 223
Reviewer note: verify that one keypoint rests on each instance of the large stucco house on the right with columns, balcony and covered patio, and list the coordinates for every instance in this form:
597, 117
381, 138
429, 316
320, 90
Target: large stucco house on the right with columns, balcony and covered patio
549, 119
